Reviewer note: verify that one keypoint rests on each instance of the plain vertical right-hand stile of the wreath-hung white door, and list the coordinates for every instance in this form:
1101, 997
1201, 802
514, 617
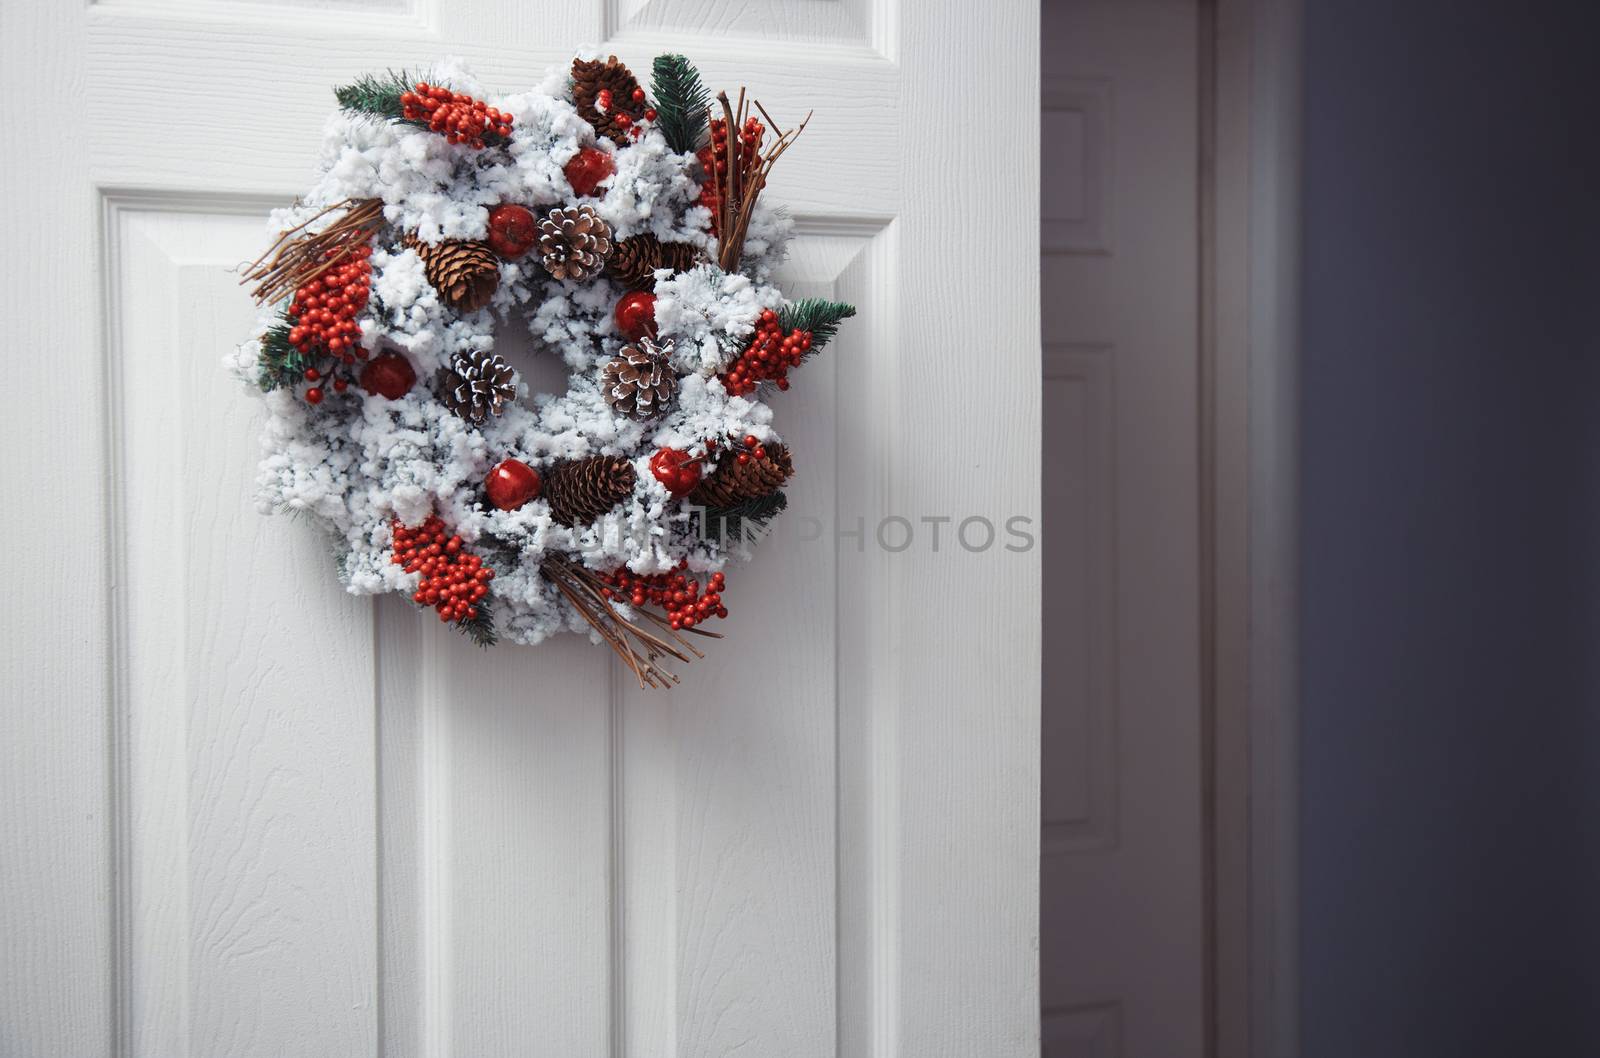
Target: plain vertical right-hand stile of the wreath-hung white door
962, 639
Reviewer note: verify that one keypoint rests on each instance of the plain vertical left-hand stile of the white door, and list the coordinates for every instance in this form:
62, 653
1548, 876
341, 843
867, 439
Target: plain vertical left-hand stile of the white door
55, 727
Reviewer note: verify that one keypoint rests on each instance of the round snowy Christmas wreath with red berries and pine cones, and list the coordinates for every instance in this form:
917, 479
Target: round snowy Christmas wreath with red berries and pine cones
628, 233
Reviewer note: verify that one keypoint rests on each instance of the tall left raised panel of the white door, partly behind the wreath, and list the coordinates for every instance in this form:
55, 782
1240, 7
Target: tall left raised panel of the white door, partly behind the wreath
247, 748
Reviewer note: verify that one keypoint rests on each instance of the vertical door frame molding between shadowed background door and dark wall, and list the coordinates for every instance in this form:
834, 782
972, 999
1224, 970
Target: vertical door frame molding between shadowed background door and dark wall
1249, 518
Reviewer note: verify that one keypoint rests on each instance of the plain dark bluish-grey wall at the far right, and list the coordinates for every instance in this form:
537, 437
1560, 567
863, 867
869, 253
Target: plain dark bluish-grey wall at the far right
1450, 531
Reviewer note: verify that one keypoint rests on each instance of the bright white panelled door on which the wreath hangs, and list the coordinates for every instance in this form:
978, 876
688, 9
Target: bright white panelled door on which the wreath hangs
246, 814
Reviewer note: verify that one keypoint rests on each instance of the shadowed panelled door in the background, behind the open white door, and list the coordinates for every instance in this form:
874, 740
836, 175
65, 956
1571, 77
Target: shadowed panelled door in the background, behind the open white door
1124, 960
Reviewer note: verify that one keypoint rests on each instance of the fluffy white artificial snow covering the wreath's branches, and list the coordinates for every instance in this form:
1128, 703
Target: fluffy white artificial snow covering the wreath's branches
359, 462
